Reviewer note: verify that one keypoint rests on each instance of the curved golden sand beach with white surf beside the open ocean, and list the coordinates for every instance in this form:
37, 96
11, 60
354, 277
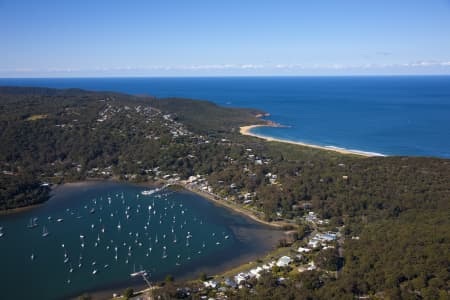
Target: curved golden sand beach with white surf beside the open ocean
247, 130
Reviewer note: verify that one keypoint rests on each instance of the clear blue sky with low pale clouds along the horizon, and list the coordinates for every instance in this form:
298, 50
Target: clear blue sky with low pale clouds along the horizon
62, 38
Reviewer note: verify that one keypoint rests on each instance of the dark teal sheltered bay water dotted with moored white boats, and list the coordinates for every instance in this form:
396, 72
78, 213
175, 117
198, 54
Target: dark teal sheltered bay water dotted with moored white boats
167, 232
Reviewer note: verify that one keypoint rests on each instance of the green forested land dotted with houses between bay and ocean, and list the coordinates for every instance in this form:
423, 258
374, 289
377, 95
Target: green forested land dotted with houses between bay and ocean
398, 207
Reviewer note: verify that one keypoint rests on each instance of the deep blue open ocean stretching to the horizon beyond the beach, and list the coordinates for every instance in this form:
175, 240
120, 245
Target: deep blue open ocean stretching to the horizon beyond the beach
400, 115
